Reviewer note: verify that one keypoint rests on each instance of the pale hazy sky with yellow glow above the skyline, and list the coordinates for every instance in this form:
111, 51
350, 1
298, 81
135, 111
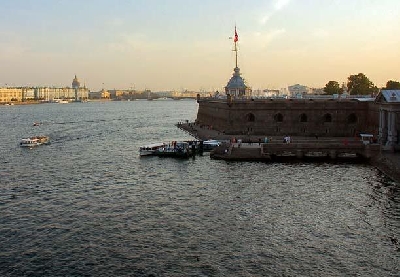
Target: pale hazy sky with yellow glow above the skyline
184, 44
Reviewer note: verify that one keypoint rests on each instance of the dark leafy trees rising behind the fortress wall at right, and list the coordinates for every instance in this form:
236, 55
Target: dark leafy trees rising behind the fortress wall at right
358, 85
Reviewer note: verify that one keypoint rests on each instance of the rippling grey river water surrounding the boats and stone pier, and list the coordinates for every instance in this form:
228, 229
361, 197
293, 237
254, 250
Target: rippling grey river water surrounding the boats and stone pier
88, 205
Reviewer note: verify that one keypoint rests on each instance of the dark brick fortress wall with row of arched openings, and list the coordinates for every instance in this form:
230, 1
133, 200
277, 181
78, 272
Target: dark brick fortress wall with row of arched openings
295, 117
